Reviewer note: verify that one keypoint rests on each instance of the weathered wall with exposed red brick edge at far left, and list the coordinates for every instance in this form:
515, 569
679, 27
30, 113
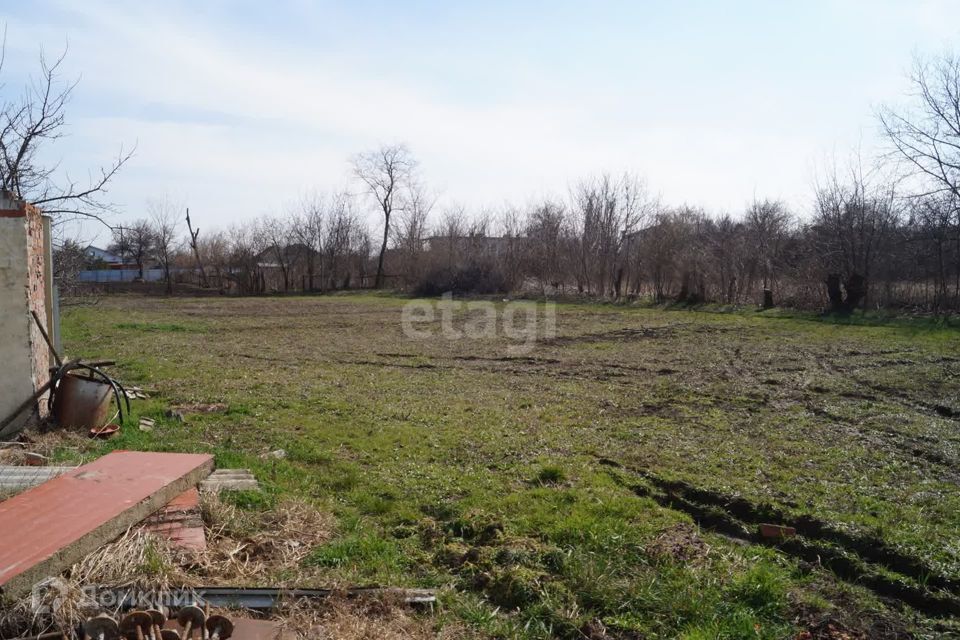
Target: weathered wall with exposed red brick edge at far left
24, 356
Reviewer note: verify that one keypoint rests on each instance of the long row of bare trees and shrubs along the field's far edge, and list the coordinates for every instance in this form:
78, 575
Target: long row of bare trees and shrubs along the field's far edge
865, 244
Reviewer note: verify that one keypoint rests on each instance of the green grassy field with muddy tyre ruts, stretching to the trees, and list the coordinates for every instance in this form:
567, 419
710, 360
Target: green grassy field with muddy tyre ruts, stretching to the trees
606, 483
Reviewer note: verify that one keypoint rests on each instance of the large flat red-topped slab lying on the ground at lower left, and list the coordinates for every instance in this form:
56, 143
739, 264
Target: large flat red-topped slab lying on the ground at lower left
48, 528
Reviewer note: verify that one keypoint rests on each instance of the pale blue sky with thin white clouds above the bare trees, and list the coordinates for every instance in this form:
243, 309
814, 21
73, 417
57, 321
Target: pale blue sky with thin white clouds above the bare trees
239, 108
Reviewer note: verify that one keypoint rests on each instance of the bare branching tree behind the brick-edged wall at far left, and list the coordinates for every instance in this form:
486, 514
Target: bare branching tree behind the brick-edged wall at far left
30, 122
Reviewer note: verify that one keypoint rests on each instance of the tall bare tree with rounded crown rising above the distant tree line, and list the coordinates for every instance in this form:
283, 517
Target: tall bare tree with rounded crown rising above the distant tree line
388, 174
